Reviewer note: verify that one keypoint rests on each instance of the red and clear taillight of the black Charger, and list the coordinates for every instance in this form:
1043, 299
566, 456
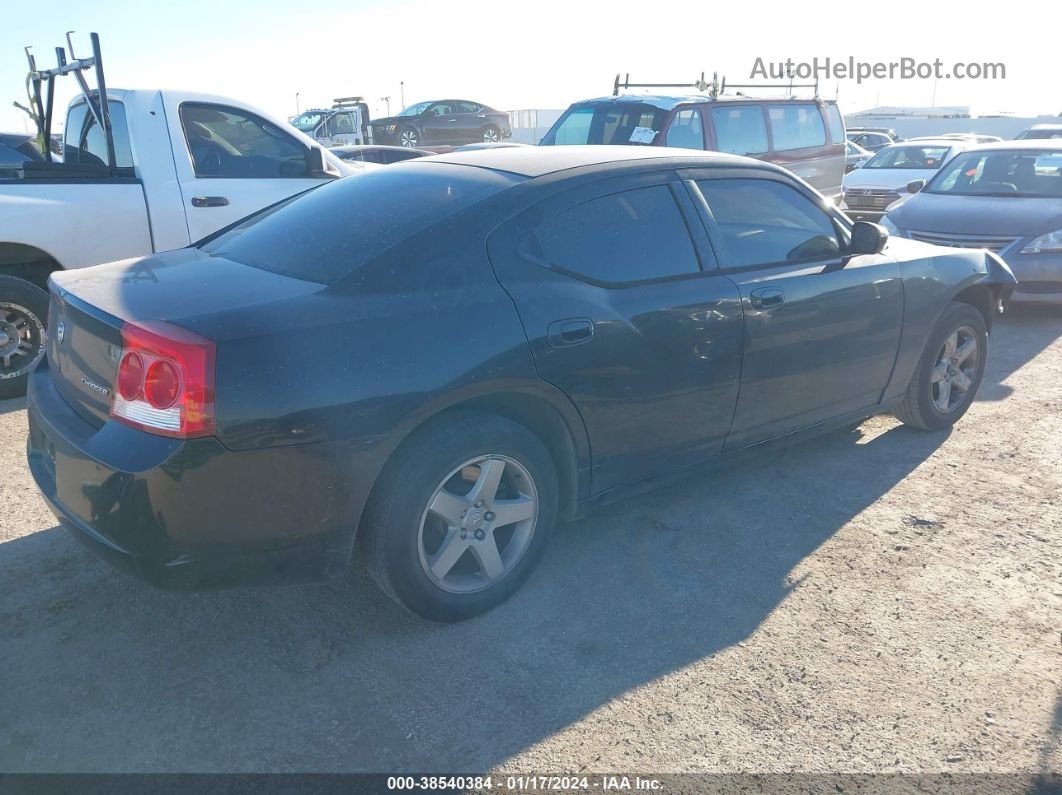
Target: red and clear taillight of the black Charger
165, 382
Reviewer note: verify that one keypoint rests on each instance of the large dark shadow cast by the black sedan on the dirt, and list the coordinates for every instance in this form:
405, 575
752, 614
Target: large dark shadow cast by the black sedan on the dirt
102, 673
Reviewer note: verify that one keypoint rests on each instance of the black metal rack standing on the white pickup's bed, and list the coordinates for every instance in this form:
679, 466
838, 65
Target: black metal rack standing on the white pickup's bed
41, 87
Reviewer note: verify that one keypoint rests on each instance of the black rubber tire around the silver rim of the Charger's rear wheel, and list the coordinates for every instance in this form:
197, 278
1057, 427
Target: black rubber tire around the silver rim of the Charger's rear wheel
392, 537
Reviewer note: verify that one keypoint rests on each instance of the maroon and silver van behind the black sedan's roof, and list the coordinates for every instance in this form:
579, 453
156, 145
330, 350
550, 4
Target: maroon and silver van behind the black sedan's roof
807, 136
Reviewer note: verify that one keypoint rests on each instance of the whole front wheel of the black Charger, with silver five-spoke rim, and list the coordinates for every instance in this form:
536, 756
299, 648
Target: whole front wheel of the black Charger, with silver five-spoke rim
944, 378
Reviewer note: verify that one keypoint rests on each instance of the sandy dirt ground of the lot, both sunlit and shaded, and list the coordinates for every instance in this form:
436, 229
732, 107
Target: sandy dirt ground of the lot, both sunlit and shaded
877, 600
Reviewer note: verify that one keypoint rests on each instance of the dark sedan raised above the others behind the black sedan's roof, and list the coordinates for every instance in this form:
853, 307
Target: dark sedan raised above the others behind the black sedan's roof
443, 122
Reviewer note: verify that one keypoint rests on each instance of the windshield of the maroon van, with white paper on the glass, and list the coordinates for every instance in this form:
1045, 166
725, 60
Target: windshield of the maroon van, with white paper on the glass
612, 124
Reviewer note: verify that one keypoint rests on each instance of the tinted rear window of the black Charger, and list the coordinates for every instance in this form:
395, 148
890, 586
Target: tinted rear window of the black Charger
329, 233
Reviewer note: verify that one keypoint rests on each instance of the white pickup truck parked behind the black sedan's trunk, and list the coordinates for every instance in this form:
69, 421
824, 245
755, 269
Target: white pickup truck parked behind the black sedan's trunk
185, 166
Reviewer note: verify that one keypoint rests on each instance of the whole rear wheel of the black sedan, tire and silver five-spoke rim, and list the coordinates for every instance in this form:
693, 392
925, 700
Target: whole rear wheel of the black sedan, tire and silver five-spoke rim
440, 568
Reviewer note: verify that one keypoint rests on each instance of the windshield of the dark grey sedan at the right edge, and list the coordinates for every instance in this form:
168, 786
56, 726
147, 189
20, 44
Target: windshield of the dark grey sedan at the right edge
1017, 174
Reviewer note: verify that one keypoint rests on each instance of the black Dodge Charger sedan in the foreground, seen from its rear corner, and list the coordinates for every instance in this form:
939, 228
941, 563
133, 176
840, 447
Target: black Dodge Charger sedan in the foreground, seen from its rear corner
504, 339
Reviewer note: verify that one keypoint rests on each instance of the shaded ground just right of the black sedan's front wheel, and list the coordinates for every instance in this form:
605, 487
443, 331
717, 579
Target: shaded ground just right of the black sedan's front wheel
1019, 337
